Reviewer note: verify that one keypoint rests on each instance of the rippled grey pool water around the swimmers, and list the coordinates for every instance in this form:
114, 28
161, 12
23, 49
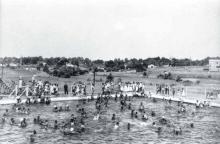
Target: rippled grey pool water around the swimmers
206, 124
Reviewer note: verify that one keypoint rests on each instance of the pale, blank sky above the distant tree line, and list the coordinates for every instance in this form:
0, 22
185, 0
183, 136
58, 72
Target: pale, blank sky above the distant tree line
108, 29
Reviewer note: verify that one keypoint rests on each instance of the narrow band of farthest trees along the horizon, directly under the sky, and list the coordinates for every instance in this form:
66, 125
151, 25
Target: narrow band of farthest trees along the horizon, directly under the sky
115, 64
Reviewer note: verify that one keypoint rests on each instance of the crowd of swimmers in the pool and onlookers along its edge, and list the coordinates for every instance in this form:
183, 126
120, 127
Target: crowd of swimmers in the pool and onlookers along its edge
76, 123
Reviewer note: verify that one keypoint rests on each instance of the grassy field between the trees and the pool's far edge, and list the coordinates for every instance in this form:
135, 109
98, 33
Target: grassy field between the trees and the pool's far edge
207, 80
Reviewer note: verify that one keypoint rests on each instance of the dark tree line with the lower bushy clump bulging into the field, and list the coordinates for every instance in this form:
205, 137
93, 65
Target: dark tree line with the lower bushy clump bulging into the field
57, 65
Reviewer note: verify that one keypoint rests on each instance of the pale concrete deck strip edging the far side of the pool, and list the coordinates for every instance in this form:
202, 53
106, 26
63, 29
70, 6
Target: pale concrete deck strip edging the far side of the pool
212, 103
